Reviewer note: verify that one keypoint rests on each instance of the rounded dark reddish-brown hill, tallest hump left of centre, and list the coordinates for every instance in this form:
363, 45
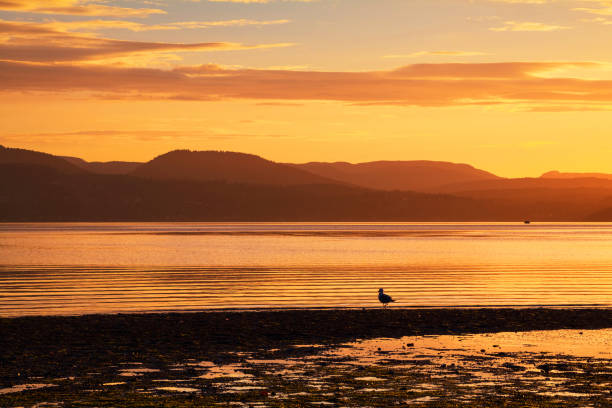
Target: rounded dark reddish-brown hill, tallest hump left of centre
224, 166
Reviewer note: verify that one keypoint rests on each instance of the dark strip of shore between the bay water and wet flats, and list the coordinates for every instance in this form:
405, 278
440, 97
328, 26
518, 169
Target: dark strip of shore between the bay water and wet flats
30, 344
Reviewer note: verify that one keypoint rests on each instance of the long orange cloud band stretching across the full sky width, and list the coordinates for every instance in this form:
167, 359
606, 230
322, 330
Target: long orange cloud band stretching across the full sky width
413, 85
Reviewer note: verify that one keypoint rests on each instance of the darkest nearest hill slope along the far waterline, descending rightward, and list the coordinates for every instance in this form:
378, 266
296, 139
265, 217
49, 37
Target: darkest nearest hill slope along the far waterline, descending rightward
38, 193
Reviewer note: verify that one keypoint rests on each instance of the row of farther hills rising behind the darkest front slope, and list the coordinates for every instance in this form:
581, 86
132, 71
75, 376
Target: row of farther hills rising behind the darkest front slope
233, 167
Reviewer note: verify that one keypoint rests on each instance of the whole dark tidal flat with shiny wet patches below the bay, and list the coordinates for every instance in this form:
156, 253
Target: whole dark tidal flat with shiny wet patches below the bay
309, 358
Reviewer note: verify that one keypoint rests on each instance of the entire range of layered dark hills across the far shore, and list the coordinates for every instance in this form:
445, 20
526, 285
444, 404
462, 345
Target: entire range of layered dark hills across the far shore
188, 185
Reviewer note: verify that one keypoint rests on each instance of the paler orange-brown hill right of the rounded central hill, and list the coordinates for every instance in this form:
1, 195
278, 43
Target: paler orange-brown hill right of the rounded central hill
421, 175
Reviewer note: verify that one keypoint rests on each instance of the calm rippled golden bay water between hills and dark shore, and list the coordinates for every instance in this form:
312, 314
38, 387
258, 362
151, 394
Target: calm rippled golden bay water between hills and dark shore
78, 268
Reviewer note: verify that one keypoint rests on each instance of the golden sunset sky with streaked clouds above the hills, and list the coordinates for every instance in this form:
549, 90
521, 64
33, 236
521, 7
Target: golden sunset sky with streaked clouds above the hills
516, 87
